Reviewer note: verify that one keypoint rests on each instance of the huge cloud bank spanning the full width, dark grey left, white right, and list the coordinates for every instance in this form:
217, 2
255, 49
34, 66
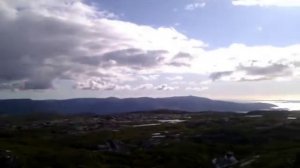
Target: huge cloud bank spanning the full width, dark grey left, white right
50, 40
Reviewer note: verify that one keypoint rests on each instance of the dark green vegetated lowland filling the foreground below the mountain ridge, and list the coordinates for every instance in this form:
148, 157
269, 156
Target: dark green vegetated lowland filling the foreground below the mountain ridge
257, 139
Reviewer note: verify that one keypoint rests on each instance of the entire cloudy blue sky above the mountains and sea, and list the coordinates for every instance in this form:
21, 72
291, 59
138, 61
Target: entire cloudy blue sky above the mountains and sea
221, 49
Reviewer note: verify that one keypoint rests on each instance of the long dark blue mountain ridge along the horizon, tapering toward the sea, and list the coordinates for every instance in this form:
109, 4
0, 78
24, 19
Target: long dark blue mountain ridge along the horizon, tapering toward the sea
118, 105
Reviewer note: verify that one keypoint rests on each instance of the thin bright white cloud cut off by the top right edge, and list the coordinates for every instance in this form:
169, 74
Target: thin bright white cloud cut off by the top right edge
279, 3
